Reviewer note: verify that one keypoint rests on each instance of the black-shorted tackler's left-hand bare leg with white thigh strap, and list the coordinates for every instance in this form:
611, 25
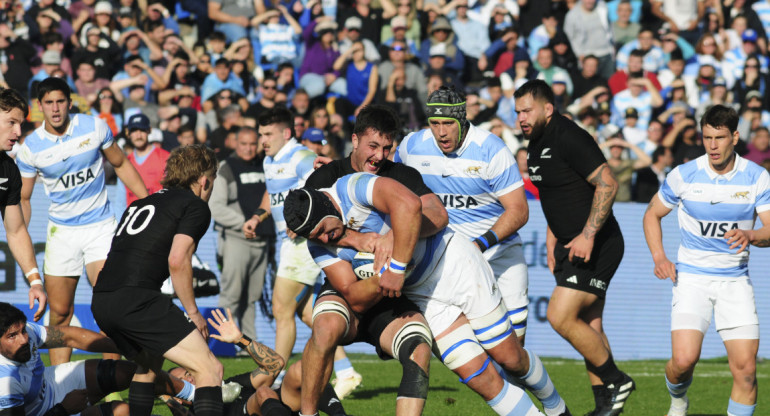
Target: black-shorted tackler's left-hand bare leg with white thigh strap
329, 329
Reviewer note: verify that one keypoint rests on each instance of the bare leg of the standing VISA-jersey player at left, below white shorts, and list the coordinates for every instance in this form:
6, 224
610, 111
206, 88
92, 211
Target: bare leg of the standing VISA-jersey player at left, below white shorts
61, 297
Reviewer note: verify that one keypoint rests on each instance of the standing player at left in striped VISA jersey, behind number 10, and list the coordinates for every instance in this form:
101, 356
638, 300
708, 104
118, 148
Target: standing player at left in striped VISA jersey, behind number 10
67, 152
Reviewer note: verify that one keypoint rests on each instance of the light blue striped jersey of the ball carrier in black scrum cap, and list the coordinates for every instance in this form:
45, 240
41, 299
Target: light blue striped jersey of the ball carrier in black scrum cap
354, 195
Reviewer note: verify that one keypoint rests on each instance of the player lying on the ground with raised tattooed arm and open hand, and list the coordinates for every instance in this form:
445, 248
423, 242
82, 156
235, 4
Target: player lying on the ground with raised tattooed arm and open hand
256, 395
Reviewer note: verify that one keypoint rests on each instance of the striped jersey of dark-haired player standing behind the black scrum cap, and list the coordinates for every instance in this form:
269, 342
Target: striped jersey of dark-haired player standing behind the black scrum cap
285, 171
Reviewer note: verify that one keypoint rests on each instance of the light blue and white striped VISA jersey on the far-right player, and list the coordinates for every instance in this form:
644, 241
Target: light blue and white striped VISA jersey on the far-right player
709, 206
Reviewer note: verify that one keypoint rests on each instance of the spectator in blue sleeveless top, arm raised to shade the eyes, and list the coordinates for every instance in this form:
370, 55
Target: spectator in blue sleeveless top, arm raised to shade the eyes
360, 74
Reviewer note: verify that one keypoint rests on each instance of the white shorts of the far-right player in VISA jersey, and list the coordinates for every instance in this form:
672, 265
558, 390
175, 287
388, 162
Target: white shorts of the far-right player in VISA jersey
731, 302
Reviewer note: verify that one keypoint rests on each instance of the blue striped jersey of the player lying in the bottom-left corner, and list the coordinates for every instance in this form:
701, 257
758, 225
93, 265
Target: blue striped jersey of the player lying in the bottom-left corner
22, 384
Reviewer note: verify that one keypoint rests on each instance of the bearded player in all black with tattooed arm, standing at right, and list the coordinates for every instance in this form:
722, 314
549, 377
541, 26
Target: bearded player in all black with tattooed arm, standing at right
583, 240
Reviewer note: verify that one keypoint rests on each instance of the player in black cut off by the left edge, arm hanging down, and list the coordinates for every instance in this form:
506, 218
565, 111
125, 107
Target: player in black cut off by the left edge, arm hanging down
13, 111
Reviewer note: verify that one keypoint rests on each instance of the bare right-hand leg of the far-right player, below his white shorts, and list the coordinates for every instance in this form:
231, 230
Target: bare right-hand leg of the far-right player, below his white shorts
742, 356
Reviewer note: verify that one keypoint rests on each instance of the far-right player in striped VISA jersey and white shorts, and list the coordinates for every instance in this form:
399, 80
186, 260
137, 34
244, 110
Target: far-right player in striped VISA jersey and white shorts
719, 195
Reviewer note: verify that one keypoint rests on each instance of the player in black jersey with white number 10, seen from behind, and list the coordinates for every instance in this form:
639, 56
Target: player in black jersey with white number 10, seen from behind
157, 236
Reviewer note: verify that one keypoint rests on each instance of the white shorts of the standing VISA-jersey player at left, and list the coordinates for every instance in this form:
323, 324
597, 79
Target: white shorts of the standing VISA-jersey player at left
69, 249
